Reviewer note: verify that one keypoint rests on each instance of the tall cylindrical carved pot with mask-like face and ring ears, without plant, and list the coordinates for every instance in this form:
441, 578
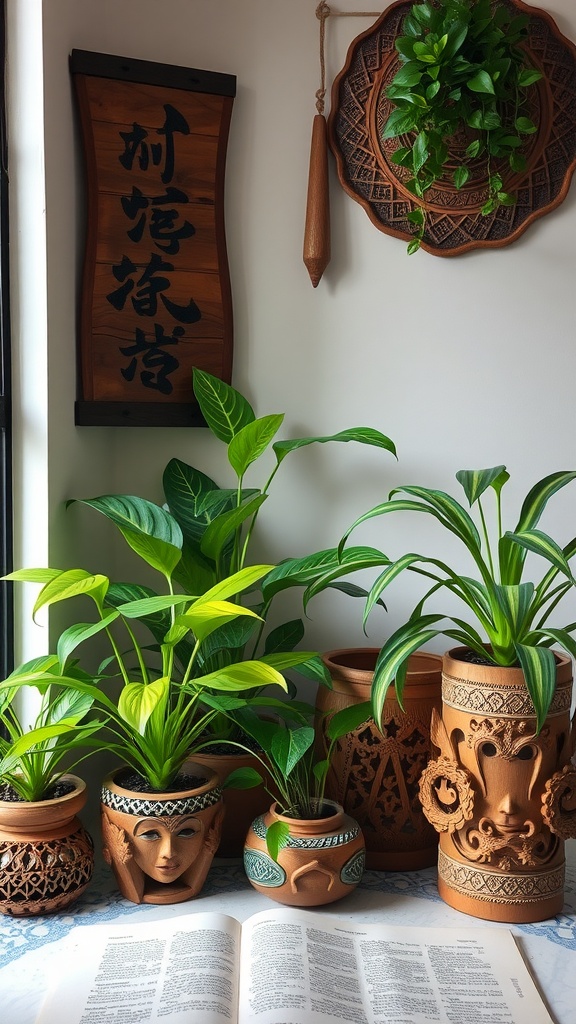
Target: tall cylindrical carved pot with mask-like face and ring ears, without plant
503, 798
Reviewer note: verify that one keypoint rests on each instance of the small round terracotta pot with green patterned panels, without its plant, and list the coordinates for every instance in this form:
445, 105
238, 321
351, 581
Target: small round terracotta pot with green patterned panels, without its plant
322, 862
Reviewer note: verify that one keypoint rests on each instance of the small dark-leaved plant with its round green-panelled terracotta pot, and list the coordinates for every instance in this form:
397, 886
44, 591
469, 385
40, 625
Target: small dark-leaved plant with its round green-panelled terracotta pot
306, 850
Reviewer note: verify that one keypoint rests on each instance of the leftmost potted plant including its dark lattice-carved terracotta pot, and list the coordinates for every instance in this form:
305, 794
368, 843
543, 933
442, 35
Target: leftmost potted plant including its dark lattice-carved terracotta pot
47, 856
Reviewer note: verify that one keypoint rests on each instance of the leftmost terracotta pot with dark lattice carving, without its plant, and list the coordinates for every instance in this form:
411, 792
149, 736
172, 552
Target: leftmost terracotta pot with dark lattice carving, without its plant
47, 856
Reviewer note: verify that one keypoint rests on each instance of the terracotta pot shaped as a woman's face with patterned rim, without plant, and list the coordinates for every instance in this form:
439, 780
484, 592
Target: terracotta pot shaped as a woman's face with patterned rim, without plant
161, 845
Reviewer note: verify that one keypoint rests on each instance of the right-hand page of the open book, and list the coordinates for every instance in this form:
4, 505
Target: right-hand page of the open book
299, 968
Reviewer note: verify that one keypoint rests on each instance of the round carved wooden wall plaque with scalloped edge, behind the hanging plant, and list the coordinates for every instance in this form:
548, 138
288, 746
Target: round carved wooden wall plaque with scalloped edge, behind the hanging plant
455, 224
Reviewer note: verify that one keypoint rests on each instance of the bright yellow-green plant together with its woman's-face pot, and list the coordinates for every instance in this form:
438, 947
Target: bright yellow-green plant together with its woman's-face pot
160, 718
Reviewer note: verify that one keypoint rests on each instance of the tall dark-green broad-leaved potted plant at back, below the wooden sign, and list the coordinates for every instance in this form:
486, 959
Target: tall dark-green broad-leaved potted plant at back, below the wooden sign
218, 526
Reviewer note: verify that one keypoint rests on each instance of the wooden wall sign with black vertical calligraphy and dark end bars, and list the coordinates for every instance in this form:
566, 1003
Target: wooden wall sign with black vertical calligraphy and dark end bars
156, 296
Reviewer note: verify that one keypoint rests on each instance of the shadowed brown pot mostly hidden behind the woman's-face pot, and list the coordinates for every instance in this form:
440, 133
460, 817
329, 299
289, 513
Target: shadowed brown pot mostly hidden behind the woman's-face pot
242, 806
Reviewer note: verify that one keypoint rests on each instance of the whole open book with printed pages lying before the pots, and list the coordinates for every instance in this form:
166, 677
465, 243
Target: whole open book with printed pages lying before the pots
292, 967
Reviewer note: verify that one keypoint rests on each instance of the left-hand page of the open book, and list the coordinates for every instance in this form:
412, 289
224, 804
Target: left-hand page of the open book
183, 971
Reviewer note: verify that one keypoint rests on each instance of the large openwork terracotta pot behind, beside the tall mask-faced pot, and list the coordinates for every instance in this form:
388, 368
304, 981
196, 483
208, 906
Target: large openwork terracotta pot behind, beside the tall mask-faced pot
376, 775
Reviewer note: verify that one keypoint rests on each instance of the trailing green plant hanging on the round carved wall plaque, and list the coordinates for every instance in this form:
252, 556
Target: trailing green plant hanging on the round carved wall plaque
465, 75
